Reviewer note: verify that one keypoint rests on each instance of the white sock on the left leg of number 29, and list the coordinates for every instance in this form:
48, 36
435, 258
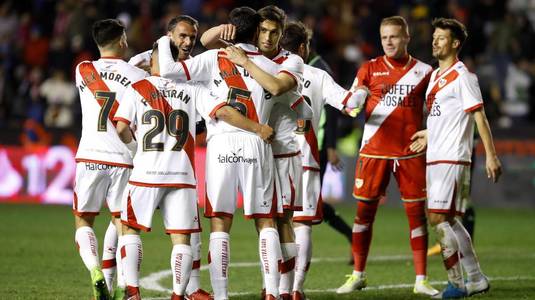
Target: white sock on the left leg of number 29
133, 250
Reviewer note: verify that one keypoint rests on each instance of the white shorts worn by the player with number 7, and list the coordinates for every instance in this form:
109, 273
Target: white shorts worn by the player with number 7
95, 183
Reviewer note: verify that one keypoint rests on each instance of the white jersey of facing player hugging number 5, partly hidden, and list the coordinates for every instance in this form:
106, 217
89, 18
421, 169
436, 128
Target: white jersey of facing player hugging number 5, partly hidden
282, 119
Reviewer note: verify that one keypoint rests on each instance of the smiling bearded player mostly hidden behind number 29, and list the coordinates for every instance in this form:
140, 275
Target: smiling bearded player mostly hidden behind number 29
183, 31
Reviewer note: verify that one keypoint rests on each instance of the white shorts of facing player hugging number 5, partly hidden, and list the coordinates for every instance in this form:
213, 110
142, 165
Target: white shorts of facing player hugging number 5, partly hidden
288, 183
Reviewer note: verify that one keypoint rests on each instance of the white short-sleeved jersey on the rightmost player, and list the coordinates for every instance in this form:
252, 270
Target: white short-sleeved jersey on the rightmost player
450, 98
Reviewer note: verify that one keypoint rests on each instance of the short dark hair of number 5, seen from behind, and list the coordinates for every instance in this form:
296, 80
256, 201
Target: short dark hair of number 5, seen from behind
246, 20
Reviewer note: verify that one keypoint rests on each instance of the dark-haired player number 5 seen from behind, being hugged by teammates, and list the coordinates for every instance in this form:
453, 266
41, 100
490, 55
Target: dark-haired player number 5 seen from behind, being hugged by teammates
235, 158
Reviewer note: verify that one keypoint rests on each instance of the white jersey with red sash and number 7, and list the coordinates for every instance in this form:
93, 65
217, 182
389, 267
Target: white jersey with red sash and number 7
101, 85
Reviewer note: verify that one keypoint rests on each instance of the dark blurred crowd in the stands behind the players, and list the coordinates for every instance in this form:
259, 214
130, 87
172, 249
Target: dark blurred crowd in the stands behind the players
42, 41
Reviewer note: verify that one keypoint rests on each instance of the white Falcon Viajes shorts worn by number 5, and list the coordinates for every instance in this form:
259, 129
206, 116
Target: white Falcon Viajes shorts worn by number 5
244, 161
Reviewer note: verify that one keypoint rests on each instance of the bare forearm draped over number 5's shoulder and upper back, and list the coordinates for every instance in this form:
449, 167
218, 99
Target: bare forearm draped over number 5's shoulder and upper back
276, 85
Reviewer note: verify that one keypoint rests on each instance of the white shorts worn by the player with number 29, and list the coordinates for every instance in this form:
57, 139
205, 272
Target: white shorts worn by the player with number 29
178, 207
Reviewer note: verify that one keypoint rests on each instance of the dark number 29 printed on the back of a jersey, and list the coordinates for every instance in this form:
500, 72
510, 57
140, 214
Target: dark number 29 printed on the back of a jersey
177, 124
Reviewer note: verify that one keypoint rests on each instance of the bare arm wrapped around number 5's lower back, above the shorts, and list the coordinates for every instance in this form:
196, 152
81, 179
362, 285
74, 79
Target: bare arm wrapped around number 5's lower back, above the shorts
234, 118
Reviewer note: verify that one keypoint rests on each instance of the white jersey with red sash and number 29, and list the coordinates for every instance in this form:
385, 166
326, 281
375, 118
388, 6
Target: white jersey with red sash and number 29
164, 114
